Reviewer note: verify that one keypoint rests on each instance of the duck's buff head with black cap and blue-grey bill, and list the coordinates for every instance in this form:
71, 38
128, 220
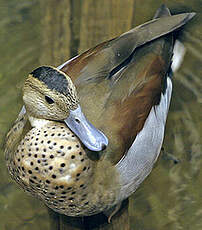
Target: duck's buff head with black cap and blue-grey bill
49, 94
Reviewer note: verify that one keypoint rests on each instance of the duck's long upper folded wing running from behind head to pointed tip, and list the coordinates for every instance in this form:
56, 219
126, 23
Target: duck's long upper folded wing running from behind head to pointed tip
99, 62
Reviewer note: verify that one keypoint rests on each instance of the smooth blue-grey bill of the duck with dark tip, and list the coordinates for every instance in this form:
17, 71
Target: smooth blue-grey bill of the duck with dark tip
91, 137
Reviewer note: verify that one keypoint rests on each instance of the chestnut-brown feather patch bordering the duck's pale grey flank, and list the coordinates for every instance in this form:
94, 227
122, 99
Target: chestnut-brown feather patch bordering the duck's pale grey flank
124, 115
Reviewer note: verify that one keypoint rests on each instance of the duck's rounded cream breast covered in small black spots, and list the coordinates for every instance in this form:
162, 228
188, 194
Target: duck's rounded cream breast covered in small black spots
52, 165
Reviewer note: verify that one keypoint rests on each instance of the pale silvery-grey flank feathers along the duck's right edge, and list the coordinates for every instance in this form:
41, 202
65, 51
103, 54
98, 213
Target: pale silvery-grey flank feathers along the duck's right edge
139, 161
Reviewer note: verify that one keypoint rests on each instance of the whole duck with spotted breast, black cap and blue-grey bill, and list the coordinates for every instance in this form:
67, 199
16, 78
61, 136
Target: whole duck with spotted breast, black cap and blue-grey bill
91, 130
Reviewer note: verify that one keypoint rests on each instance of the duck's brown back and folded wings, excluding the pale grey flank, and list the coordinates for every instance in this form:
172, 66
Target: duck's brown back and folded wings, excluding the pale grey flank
119, 82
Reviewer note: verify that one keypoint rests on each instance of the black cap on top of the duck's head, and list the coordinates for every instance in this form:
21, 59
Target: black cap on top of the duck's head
52, 78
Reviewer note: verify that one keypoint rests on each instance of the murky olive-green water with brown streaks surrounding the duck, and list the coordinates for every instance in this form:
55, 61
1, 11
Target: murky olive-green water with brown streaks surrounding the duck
49, 32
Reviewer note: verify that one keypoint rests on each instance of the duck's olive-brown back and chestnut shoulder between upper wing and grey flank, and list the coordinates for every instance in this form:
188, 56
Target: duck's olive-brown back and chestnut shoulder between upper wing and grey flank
120, 108
